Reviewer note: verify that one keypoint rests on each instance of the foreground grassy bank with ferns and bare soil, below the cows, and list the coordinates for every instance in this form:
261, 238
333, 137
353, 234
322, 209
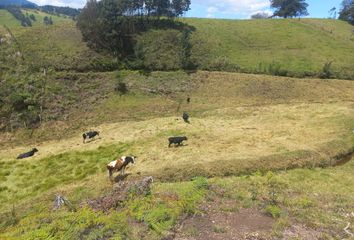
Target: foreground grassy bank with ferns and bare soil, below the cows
295, 204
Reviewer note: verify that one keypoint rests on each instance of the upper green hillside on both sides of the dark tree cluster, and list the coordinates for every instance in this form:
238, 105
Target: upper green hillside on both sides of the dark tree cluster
275, 46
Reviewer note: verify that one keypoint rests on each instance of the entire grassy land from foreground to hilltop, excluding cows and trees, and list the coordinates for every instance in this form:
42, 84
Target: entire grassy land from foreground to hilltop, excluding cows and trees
258, 138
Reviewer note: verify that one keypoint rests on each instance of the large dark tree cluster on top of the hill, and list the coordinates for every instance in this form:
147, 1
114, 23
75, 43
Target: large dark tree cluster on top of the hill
113, 25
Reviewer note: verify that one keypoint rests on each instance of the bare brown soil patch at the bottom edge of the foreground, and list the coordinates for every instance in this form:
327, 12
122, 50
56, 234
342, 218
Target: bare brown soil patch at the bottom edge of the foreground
220, 220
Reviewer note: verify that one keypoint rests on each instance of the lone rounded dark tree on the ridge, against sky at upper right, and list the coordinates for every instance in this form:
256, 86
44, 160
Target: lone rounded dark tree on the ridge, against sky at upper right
289, 8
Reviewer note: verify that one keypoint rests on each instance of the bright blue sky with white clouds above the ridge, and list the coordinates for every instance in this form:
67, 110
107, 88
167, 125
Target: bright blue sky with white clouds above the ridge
231, 9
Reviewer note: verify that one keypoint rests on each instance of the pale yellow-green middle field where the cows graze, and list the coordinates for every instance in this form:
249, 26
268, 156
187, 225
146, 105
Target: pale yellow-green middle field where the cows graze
247, 122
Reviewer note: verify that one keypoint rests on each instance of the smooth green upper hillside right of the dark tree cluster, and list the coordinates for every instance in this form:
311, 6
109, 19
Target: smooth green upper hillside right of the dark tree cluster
295, 46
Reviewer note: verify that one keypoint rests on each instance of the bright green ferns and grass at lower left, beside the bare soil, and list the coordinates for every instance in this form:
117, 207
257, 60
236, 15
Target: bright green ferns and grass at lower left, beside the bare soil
153, 215
